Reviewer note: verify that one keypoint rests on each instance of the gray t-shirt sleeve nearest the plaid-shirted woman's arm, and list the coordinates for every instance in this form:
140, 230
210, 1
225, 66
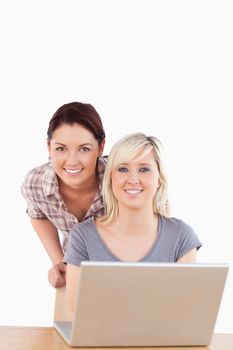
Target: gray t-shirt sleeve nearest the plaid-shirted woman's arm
76, 250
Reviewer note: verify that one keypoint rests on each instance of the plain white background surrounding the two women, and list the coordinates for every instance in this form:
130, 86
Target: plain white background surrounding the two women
161, 67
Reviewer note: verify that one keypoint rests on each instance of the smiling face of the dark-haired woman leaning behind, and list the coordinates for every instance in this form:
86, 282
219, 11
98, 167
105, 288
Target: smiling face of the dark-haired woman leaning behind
74, 152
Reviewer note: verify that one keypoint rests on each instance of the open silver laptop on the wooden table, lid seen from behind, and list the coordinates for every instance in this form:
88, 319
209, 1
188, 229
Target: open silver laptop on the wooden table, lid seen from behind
145, 304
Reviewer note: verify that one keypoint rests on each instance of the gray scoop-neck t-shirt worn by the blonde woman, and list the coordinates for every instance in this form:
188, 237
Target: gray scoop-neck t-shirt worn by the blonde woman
174, 239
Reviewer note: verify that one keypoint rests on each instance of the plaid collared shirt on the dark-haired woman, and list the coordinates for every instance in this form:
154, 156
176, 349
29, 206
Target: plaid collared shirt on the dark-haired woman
44, 201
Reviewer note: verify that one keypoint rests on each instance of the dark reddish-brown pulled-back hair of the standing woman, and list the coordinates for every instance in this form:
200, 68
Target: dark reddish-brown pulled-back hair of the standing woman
81, 113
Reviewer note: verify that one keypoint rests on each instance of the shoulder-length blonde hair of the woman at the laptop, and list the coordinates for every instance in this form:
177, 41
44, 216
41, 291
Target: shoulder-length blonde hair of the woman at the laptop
123, 151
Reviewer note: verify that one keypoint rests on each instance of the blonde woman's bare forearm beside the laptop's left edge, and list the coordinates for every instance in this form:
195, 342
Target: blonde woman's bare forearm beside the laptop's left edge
72, 276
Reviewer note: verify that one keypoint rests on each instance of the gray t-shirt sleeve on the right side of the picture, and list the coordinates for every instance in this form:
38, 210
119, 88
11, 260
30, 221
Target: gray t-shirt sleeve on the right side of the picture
188, 241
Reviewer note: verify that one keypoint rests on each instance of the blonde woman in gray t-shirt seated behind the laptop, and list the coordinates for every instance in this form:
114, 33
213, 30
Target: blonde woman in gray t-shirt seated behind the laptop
136, 226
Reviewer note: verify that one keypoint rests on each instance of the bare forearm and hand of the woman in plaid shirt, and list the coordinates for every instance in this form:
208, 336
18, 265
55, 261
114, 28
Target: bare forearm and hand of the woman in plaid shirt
48, 235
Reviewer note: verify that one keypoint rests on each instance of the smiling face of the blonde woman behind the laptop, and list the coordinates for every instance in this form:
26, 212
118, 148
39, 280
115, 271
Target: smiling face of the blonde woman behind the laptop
135, 183
